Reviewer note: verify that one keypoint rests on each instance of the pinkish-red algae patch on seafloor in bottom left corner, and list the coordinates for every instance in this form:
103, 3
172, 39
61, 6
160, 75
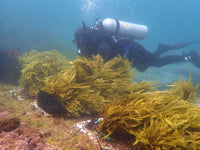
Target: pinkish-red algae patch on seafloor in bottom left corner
15, 134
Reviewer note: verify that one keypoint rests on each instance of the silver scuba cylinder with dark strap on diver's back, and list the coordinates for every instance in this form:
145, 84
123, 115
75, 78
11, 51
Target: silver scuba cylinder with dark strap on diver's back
125, 29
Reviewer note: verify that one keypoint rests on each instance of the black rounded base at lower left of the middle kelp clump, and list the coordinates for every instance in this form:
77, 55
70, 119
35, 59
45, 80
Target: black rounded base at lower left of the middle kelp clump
50, 104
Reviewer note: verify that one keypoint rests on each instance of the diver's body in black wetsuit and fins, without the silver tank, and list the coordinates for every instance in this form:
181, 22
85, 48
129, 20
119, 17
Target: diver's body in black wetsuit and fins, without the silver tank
92, 42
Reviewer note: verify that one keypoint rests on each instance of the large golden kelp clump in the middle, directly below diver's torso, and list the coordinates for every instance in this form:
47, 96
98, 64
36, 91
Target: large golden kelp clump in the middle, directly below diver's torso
90, 84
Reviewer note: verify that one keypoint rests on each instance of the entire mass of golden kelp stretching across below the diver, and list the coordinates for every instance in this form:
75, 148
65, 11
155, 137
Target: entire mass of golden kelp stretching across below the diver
150, 119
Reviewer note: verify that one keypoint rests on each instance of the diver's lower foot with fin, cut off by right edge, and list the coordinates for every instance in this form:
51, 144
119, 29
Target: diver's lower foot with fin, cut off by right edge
193, 57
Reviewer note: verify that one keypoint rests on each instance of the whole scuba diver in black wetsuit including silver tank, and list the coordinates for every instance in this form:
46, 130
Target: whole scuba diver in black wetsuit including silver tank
112, 37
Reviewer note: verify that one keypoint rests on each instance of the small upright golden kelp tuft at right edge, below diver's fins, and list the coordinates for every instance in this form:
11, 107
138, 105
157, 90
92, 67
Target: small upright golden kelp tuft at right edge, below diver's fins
184, 89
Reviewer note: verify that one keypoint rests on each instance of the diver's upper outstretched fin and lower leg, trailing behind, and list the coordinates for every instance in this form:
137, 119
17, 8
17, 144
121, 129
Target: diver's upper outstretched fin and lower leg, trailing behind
162, 48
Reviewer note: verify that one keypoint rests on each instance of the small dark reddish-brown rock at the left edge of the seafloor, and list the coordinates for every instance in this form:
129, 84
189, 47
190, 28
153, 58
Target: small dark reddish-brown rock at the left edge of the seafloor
9, 124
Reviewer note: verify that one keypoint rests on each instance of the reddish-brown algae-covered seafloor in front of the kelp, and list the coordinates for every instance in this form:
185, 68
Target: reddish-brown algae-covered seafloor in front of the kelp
24, 127
